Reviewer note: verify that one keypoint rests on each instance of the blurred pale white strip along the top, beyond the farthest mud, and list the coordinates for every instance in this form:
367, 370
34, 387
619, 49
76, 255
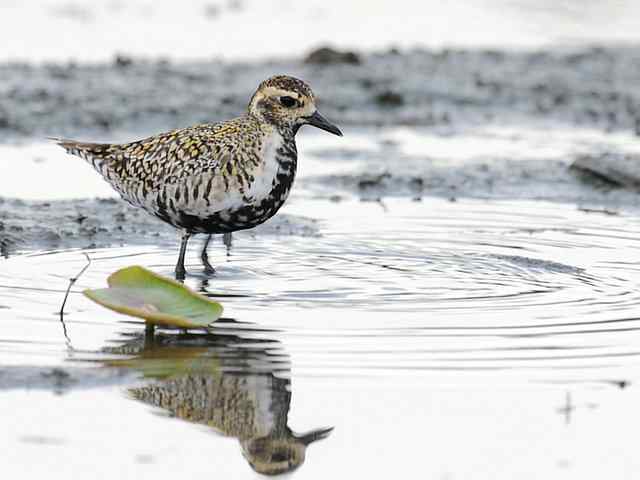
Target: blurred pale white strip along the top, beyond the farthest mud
46, 30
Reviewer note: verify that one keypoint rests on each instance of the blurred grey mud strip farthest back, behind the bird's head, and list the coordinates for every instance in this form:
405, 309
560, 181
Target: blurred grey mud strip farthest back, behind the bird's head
597, 87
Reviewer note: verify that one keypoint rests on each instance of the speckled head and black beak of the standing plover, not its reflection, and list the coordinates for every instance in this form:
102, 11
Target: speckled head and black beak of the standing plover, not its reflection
288, 103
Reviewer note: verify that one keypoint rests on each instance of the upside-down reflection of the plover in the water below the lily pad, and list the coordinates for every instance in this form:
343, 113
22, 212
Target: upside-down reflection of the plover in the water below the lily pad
237, 386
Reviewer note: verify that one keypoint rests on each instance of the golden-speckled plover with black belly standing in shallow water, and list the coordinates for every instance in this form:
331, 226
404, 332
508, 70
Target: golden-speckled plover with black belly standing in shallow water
214, 178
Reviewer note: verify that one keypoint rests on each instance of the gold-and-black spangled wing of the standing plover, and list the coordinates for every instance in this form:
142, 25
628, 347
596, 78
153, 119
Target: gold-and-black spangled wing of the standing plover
196, 169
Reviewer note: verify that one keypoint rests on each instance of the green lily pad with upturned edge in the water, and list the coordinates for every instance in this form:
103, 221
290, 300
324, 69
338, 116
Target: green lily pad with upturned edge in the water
158, 300
